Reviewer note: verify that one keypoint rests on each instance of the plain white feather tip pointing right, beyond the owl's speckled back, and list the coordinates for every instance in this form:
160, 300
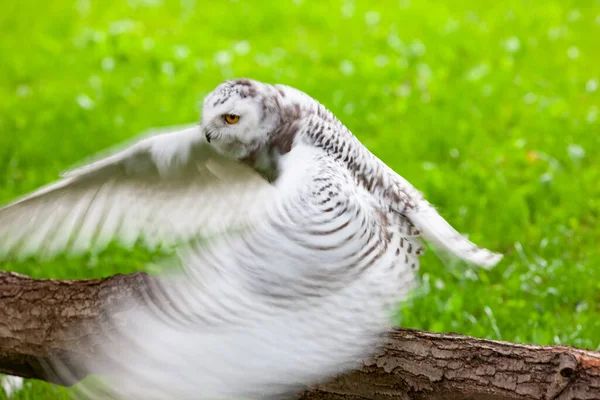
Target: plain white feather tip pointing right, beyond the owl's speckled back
435, 229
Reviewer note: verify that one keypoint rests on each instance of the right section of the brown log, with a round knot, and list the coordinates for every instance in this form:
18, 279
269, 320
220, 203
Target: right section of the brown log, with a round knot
427, 366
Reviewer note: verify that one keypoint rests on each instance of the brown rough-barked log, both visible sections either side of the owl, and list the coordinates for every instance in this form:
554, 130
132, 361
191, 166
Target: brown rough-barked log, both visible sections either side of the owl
41, 318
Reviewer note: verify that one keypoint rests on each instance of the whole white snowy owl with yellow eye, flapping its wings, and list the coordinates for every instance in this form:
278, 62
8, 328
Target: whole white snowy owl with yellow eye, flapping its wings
295, 242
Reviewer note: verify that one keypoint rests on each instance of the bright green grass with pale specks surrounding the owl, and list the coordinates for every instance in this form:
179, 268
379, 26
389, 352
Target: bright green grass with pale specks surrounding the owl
490, 108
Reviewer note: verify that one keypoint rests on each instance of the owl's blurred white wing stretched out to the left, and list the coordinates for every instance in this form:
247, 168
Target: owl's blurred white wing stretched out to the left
164, 188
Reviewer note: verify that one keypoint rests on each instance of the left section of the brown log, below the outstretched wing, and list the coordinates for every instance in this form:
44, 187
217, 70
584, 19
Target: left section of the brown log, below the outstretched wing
45, 318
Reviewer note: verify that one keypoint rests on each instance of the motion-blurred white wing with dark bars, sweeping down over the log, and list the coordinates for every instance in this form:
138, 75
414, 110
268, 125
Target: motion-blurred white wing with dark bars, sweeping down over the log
316, 301
